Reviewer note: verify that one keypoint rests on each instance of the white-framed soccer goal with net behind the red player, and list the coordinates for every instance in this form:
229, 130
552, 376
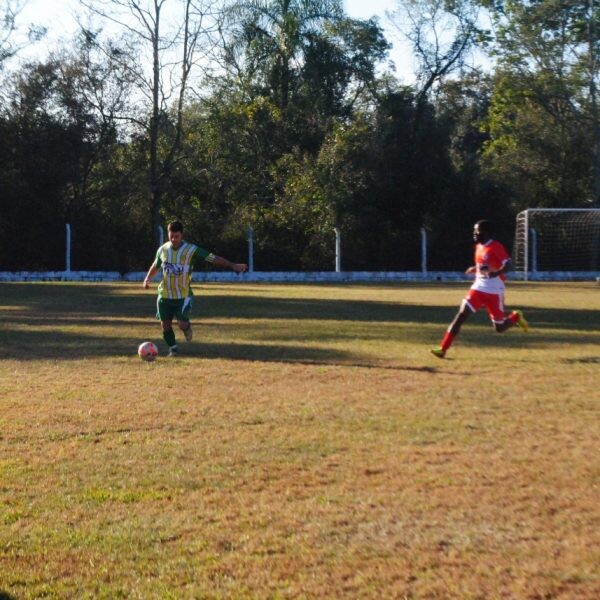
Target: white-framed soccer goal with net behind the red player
557, 243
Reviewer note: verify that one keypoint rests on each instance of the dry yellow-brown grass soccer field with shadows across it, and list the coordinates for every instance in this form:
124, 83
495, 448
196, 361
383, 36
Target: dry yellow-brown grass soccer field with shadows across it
305, 445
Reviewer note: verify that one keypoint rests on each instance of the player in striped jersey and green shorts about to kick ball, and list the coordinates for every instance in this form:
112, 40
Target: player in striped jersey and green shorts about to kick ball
176, 259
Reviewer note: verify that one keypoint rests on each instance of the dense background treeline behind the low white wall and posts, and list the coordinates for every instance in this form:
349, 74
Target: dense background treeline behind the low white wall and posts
284, 115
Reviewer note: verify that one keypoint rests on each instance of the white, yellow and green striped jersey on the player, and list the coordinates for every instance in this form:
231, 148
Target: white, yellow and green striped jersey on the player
177, 266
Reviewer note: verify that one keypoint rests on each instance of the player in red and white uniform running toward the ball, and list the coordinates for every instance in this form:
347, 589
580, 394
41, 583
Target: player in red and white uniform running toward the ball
491, 263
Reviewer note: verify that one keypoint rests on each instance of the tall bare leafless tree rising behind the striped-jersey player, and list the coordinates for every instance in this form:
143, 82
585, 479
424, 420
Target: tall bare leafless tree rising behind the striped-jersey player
167, 57
